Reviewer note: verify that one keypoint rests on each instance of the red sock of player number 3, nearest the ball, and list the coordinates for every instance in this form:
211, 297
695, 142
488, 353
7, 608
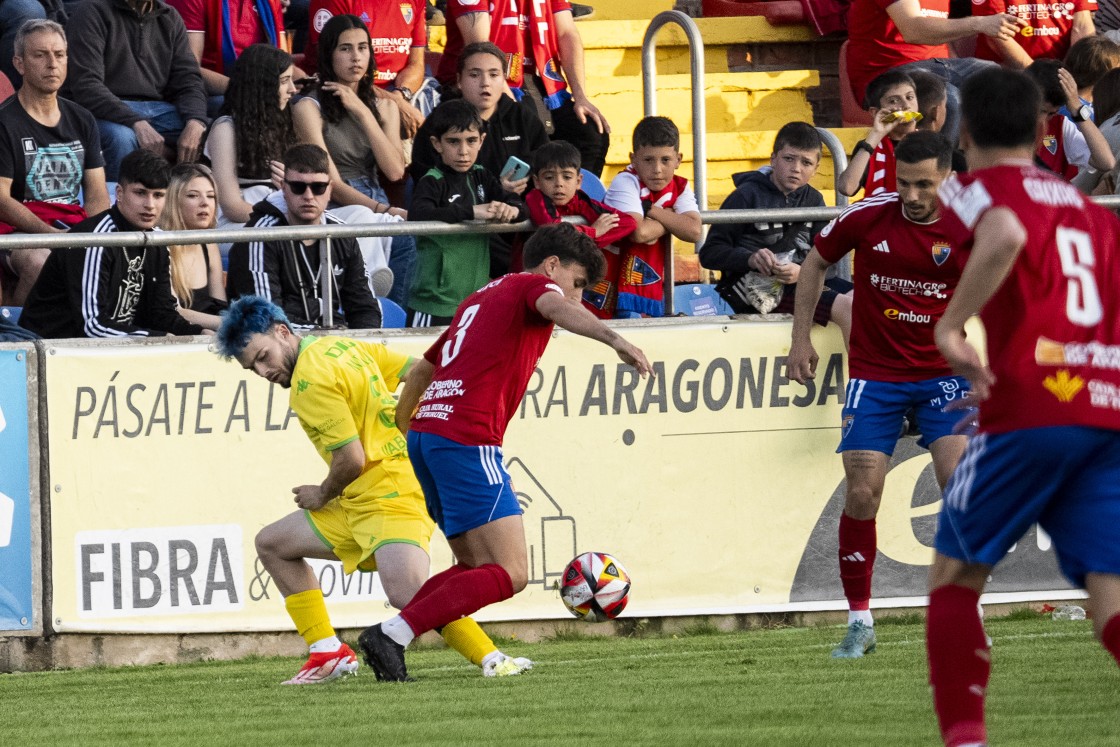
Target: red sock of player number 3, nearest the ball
469, 592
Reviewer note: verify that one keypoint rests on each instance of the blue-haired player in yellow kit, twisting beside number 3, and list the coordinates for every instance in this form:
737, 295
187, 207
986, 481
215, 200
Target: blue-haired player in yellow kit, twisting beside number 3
369, 512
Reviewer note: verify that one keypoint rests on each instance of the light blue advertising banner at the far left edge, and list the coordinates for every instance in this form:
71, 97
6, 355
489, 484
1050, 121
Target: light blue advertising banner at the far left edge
17, 566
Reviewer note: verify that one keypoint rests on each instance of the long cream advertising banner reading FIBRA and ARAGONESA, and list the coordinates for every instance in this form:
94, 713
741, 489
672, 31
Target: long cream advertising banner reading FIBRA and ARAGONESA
715, 483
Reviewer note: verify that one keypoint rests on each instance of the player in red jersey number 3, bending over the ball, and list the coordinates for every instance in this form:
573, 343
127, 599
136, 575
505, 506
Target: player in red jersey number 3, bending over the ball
461, 398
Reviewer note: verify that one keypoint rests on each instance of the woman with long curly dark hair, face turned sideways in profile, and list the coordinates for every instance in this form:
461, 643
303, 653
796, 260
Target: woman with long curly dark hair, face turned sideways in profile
253, 132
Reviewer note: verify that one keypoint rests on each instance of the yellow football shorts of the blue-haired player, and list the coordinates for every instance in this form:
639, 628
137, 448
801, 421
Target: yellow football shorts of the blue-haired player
390, 510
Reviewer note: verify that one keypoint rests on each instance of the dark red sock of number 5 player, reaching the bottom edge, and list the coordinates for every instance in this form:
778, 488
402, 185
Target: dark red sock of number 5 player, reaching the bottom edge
960, 664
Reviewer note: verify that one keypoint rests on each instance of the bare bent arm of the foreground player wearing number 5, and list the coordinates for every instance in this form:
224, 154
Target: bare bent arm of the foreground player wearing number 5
1000, 237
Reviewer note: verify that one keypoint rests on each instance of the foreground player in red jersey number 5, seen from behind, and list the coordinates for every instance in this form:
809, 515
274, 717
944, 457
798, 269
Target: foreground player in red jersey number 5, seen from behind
1044, 274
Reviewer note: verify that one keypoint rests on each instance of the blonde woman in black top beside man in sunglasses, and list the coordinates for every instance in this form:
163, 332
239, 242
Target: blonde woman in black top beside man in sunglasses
197, 269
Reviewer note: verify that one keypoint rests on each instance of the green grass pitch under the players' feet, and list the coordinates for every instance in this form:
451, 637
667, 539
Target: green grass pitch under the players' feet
1052, 685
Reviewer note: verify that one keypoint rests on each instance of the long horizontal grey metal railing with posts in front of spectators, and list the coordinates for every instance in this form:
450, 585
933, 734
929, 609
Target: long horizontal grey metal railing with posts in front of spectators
414, 229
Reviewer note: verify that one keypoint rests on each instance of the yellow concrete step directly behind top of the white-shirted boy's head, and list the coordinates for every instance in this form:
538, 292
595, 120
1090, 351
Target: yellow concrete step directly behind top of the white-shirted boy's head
735, 101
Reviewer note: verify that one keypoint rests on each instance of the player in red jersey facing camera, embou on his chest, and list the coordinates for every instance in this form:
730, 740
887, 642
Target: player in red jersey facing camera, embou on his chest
907, 269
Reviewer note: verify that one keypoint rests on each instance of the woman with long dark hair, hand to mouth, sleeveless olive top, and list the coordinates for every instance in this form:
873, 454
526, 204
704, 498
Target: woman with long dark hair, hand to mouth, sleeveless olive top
362, 135
